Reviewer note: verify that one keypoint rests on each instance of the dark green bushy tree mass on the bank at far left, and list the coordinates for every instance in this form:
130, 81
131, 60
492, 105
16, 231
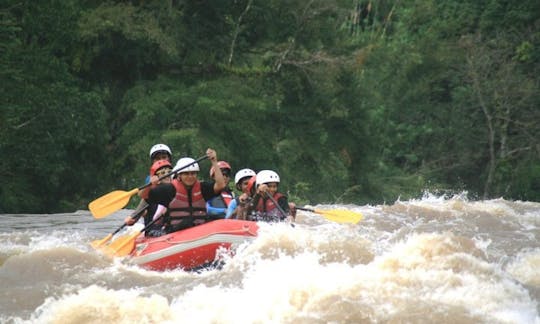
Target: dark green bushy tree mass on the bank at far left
52, 130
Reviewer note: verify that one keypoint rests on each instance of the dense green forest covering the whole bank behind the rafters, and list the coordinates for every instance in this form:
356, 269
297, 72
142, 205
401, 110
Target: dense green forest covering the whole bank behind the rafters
350, 101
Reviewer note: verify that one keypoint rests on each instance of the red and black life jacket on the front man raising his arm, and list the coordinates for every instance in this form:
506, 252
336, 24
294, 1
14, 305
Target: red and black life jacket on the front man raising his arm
187, 209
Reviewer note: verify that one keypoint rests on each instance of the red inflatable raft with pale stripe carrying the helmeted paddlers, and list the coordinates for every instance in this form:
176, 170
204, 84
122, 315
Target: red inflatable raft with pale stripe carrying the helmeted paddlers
193, 247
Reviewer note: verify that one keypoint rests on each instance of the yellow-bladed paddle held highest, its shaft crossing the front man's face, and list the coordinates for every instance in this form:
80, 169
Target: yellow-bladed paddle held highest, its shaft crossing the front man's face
117, 199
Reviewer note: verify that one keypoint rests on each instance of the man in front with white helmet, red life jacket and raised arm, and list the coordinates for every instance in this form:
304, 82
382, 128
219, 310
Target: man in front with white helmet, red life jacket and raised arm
185, 197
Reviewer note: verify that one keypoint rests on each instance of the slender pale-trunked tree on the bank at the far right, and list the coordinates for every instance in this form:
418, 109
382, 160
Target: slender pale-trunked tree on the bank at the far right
505, 96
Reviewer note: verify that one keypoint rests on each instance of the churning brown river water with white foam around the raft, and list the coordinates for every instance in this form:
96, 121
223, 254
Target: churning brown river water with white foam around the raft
431, 260
